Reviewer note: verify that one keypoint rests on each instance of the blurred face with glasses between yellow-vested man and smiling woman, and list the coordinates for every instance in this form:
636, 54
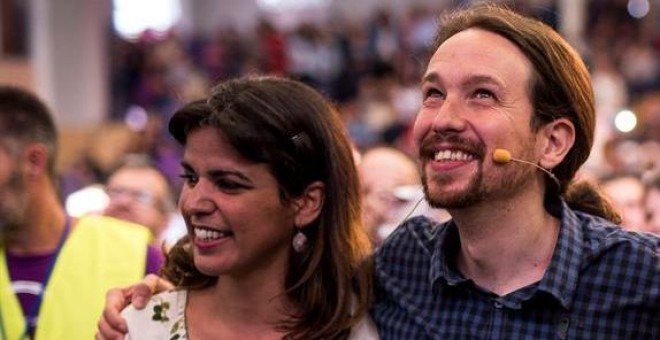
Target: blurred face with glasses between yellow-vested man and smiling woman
138, 195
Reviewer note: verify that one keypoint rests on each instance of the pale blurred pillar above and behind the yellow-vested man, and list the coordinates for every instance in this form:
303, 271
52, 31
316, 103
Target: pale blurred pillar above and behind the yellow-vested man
68, 54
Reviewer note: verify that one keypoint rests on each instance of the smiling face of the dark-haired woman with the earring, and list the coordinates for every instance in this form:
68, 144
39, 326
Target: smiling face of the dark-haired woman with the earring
233, 210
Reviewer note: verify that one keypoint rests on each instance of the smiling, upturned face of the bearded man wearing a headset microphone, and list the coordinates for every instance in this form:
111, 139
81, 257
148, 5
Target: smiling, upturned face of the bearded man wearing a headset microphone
475, 99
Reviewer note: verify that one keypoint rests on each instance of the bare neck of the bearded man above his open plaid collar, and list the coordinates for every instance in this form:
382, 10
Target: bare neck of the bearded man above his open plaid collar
506, 245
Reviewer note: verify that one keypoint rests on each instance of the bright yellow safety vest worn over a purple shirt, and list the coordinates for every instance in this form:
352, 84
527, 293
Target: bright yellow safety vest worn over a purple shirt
99, 254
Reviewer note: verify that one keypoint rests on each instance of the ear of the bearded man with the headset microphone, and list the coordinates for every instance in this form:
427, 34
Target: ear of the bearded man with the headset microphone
558, 139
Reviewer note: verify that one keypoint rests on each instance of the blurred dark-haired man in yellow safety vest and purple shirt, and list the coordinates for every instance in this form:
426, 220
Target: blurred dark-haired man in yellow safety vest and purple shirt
54, 270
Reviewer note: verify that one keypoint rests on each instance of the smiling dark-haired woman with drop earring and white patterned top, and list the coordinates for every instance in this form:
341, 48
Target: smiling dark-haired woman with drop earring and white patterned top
275, 248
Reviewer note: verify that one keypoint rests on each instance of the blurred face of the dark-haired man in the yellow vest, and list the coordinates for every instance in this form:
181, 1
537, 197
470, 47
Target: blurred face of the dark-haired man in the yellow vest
13, 198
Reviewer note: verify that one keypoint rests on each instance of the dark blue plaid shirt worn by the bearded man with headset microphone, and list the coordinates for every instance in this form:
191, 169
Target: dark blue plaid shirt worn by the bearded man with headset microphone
602, 282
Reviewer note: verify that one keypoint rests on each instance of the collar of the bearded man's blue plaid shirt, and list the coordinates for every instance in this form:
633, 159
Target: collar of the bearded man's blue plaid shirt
559, 280
